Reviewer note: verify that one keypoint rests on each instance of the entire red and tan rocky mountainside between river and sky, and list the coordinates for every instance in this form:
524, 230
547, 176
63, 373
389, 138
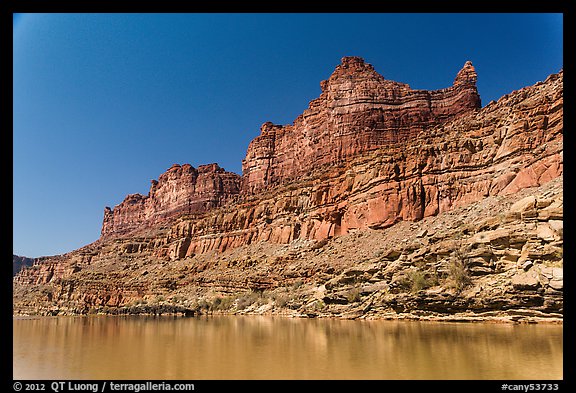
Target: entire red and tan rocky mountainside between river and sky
362, 234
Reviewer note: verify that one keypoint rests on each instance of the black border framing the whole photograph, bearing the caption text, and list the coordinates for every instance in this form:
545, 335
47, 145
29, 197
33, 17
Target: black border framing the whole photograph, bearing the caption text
7, 7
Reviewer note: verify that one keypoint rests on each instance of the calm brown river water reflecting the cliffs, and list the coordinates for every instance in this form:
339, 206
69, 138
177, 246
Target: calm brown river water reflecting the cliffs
280, 348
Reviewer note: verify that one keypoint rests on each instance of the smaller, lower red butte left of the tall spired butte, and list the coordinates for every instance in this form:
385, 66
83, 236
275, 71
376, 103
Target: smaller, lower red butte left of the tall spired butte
181, 190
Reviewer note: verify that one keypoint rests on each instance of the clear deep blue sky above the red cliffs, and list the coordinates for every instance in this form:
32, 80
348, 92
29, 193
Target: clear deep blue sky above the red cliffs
104, 103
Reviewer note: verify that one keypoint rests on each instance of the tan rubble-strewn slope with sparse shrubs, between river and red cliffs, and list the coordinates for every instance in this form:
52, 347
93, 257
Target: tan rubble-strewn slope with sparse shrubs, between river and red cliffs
498, 260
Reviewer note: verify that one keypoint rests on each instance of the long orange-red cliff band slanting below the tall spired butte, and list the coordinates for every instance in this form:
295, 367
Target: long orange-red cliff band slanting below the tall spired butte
507, 146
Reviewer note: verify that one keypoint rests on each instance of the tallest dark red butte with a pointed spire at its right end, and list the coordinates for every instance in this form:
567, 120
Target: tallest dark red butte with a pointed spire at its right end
357, 111
